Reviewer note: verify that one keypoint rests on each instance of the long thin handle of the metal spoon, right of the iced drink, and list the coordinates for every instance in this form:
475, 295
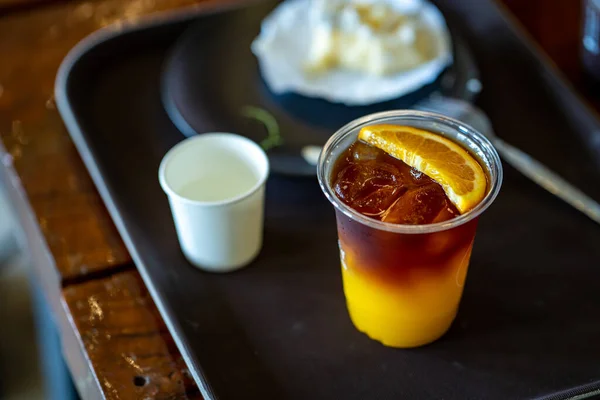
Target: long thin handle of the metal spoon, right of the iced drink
549, 180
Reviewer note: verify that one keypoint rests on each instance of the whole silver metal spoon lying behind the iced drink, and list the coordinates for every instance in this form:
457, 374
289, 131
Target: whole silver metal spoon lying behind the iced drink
529, 167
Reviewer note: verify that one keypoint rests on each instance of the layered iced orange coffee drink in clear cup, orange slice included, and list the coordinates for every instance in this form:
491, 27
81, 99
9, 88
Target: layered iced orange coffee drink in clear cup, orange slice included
408, 188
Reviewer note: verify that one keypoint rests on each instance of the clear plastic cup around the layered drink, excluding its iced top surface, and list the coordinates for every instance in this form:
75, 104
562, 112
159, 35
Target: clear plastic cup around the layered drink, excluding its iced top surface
403, 283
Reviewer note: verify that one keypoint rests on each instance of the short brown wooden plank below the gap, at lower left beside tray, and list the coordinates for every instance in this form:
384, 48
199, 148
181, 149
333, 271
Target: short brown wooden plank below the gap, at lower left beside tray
117, 313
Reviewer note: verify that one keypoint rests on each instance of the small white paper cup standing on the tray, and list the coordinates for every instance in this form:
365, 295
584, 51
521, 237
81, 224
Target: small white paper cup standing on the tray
215, 183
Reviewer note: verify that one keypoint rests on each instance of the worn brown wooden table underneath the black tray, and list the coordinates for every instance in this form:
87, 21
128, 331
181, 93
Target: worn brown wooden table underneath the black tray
115, 342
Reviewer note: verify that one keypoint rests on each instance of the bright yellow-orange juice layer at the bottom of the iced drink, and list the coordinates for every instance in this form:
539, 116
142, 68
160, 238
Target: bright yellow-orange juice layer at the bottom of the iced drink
401, 315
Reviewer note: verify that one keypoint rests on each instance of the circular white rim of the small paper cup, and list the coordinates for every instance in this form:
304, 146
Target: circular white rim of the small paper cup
179, 147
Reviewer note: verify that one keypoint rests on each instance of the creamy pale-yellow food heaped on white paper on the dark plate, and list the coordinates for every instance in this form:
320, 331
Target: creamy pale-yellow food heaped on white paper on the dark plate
373, 38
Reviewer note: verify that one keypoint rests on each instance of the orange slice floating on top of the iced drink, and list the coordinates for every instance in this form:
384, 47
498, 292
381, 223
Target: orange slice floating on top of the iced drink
444, 161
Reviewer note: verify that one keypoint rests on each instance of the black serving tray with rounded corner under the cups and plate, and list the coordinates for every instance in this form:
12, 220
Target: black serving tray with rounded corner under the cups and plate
528, 325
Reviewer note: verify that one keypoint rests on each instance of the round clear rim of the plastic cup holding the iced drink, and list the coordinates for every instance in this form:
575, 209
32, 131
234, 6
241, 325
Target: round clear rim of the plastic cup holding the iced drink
495, 172
